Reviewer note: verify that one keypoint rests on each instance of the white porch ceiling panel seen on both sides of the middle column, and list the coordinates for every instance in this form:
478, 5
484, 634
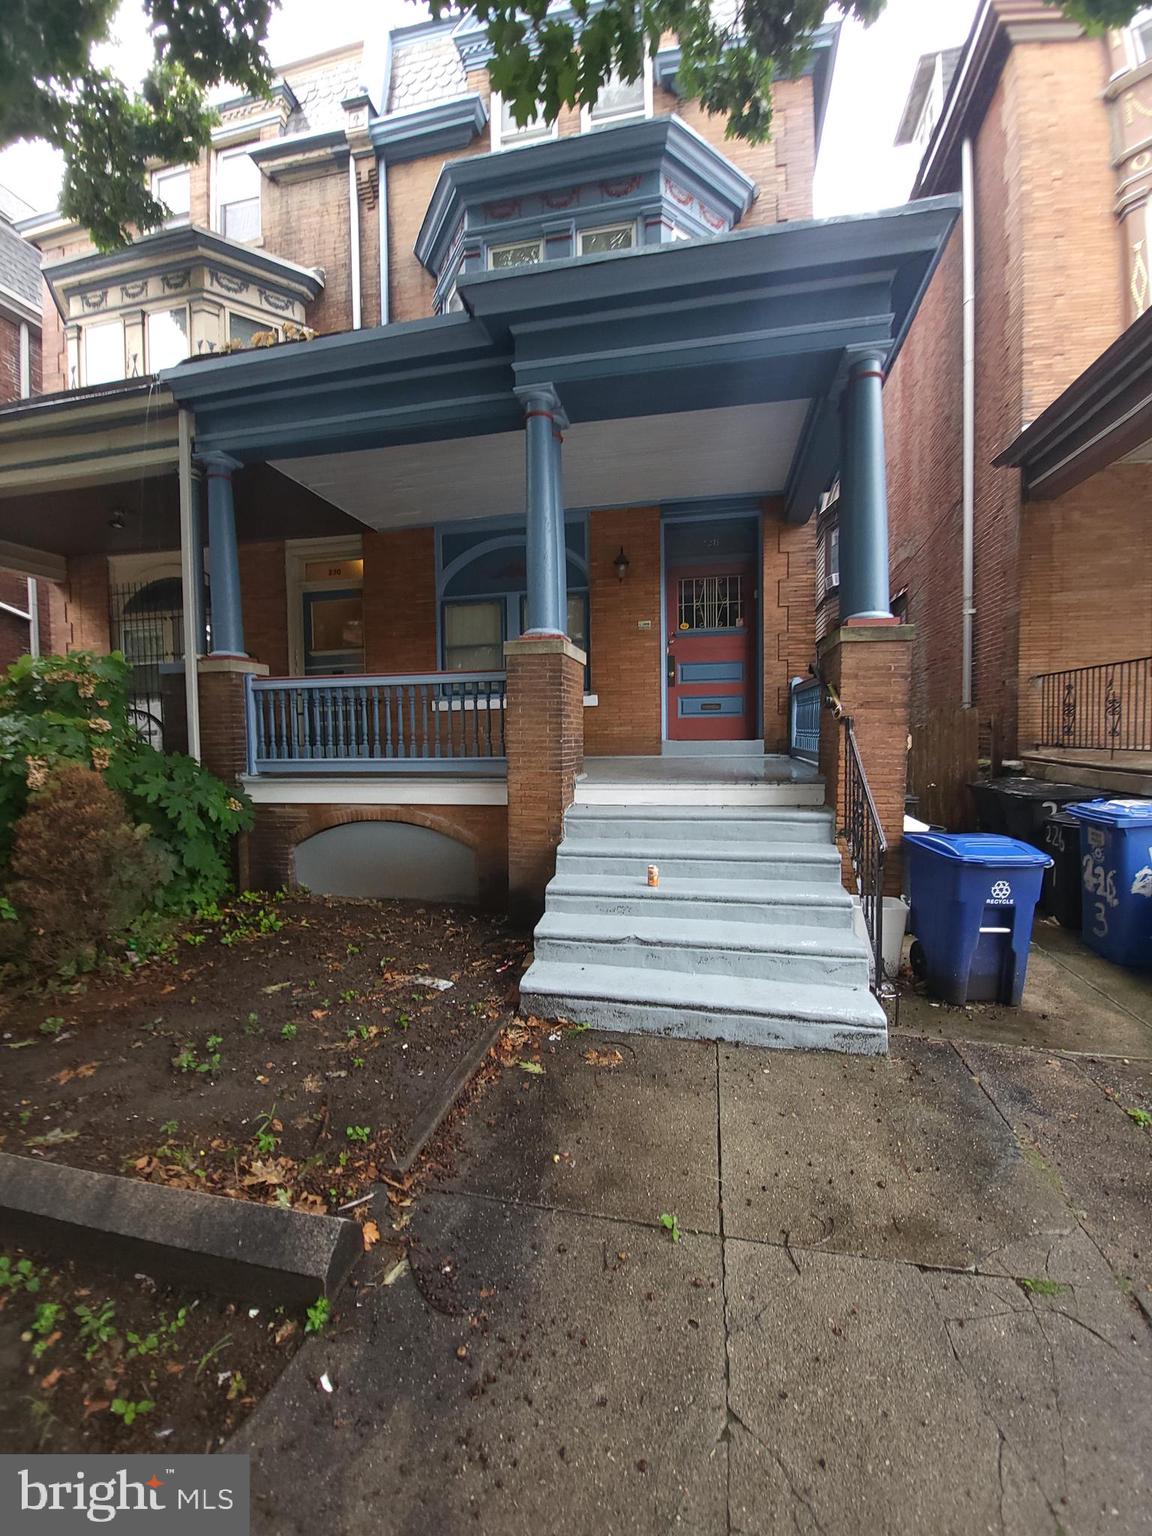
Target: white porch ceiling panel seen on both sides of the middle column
638, 462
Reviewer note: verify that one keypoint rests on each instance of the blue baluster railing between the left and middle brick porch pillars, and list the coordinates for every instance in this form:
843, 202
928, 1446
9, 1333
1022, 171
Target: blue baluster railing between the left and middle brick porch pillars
417, 723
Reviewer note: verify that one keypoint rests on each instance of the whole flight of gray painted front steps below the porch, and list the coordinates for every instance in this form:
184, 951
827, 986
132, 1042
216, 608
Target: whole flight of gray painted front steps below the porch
749, 936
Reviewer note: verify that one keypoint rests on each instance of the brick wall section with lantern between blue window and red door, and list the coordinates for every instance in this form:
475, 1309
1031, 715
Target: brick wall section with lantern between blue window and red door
627, 667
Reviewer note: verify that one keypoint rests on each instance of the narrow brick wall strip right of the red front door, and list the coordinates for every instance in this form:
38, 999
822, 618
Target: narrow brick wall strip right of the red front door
787, 617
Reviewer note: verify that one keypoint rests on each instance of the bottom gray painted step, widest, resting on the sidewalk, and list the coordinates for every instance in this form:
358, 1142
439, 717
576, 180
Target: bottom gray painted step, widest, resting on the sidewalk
709, 1007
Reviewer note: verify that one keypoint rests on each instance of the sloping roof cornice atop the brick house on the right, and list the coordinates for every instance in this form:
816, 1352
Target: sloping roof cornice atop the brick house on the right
998, 27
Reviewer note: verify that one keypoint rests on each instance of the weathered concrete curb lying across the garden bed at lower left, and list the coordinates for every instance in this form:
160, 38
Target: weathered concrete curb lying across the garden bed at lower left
204, 1242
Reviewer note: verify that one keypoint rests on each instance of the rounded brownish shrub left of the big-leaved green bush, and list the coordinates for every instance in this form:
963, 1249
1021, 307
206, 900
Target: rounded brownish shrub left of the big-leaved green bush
81, 872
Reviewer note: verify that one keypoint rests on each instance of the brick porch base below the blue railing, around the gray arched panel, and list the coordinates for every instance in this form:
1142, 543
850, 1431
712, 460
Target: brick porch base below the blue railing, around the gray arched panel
280, 829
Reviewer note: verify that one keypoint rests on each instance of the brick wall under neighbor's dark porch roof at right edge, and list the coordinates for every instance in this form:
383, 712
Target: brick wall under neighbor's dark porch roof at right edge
1085, 580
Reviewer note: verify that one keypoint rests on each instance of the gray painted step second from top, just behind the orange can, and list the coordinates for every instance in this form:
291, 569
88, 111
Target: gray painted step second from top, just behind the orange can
749, 861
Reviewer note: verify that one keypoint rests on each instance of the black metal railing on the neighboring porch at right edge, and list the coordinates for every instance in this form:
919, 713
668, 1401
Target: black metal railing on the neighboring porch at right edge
1099, 709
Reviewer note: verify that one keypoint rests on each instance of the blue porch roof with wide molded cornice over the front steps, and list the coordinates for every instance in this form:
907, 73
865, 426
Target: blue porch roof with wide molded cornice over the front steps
758, 322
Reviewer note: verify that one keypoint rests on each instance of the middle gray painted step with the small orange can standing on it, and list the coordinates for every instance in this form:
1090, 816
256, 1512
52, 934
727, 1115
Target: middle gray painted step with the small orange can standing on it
724, 901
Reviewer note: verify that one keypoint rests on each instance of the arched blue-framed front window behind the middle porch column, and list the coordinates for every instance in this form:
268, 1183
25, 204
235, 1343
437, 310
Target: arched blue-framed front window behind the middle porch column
483, 592
